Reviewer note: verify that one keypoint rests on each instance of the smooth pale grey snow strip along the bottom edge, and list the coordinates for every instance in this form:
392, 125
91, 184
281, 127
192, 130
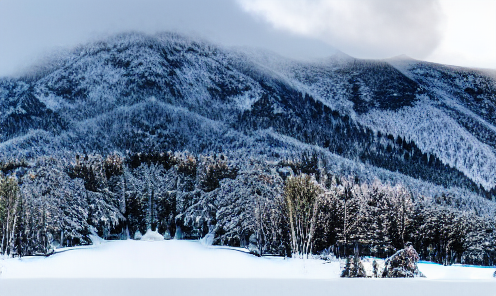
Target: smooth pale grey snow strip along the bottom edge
242, 287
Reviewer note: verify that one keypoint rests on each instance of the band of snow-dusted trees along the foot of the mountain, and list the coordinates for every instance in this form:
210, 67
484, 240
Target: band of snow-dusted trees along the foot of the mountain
289, 207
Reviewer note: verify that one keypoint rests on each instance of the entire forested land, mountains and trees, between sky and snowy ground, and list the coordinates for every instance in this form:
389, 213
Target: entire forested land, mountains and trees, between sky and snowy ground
174, 134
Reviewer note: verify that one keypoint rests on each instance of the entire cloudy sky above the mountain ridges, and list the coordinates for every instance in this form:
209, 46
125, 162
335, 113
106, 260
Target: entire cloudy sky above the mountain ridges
456, 32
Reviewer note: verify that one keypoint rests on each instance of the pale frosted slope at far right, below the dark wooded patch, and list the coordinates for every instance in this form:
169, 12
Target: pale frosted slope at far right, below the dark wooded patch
438, 134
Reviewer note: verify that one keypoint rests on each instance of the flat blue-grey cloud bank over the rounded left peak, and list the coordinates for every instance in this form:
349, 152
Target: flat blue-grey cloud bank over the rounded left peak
31, 29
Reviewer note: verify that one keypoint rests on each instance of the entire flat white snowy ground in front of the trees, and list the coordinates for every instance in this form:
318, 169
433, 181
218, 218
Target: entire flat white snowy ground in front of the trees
178, 267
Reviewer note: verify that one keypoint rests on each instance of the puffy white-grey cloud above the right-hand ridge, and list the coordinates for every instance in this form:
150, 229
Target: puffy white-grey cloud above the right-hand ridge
362, 28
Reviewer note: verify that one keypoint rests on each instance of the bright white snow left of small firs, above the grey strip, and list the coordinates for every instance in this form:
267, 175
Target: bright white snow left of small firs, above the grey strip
163, 259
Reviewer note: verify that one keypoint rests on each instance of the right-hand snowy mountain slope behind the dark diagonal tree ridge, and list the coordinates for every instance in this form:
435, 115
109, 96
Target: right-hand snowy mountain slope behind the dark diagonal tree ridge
447, 111
